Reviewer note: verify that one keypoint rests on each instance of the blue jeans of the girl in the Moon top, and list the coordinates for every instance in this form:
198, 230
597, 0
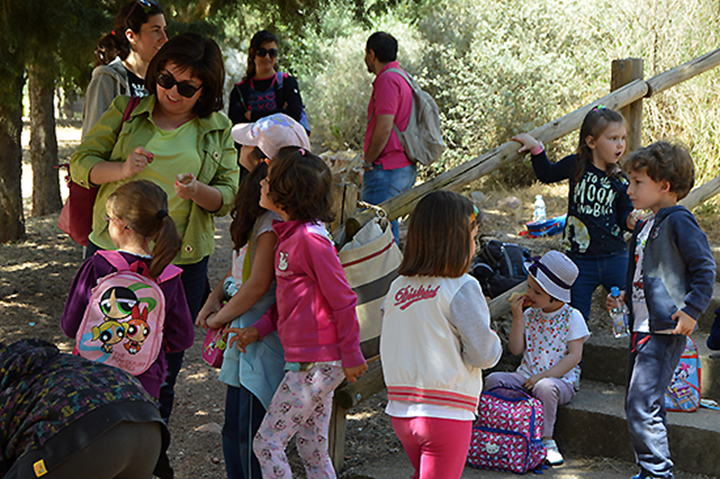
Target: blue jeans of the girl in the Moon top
606, 270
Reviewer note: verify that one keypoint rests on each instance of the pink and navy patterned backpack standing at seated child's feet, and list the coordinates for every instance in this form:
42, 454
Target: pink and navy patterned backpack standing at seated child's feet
507, 434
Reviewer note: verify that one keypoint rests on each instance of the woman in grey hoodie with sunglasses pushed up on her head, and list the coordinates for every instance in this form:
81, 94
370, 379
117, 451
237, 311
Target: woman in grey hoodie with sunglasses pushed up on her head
122, 57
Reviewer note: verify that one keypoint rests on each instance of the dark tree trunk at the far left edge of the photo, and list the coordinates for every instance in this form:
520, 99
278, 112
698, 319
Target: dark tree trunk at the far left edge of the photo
12, 222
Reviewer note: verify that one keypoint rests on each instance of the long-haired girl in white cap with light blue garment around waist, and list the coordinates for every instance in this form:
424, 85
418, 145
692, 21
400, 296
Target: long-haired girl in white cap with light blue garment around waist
251, 377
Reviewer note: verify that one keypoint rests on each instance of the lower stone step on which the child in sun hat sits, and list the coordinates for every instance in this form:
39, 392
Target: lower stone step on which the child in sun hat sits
593, 424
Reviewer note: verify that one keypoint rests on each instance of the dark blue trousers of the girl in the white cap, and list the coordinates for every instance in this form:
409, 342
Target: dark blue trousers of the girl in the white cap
243, 415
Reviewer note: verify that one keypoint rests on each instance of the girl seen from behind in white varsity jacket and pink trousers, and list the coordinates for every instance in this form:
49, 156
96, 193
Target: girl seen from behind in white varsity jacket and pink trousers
436, 337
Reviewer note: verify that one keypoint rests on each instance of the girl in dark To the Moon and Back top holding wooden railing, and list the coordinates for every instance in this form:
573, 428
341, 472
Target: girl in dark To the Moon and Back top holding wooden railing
598, 205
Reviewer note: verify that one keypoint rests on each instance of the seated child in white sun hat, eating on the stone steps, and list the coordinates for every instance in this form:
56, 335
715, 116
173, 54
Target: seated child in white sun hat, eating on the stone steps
550, 335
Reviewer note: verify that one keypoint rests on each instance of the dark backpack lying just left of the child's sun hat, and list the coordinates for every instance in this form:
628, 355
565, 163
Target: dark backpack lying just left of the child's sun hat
500, 266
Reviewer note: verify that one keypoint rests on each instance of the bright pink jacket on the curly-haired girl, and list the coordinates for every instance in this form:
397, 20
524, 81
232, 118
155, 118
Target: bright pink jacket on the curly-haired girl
315, 310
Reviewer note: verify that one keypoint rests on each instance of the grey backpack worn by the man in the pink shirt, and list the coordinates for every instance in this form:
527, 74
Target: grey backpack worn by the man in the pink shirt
422, 138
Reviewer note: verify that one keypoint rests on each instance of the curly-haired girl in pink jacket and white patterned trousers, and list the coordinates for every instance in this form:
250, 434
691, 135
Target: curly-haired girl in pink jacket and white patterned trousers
314, 317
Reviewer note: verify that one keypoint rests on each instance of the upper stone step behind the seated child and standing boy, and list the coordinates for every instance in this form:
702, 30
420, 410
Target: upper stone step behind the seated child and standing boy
605, 360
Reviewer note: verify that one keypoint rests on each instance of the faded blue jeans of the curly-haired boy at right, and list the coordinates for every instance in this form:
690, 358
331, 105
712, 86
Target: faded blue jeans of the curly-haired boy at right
651, 363
